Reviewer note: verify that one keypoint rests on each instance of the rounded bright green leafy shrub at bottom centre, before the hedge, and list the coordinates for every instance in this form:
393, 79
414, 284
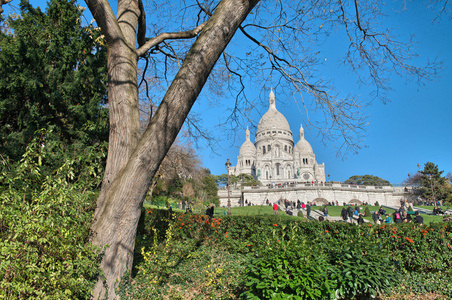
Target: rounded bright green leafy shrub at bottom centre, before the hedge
289, 270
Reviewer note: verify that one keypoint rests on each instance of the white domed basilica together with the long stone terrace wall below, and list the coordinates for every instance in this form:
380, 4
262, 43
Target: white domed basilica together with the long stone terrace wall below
290, 171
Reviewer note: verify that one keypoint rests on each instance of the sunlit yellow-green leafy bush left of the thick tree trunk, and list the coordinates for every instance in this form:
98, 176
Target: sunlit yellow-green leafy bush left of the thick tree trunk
45, 216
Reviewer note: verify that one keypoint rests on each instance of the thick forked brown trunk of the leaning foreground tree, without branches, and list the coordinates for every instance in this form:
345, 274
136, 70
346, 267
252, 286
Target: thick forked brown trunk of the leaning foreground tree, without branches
120, 202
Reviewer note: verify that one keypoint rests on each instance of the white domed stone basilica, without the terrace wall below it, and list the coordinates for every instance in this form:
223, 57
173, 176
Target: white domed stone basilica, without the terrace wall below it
273, 158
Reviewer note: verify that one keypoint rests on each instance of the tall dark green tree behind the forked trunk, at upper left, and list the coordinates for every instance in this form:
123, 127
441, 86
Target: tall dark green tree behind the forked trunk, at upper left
53, 75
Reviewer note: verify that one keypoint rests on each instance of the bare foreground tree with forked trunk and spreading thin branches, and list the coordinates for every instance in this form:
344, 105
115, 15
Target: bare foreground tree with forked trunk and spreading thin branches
187, 39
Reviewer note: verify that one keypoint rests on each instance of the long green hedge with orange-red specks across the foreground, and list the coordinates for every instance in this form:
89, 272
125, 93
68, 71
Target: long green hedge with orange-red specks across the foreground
278, 258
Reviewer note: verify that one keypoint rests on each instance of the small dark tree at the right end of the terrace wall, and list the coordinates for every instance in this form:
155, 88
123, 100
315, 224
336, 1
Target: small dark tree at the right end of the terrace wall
434, 187
